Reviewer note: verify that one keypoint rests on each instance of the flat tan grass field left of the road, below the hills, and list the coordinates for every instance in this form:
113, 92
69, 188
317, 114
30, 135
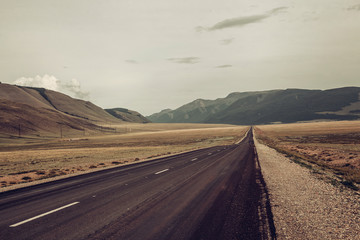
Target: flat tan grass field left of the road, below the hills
28, 159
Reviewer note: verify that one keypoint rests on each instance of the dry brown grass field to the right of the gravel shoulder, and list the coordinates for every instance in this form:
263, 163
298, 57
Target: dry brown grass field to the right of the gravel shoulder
325, 147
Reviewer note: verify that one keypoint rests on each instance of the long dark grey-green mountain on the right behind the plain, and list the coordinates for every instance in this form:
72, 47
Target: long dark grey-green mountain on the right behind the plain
285, 106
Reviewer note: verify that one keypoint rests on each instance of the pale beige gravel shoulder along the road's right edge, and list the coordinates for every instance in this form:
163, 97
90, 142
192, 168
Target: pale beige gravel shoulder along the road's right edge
303, 206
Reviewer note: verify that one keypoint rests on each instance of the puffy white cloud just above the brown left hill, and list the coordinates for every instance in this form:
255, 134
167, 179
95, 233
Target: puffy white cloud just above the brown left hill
72, 87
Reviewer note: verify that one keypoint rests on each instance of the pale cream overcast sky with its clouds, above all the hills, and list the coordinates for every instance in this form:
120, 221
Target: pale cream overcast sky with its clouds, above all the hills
158, 54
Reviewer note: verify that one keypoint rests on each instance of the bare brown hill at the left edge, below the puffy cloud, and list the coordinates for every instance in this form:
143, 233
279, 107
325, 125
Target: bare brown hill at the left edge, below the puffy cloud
34, 111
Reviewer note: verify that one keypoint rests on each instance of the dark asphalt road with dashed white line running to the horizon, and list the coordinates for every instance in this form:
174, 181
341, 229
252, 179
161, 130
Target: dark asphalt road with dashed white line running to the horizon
213, 193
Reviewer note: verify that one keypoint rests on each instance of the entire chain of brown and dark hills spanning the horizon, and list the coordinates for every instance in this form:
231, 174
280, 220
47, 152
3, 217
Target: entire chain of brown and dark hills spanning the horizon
35, 111
